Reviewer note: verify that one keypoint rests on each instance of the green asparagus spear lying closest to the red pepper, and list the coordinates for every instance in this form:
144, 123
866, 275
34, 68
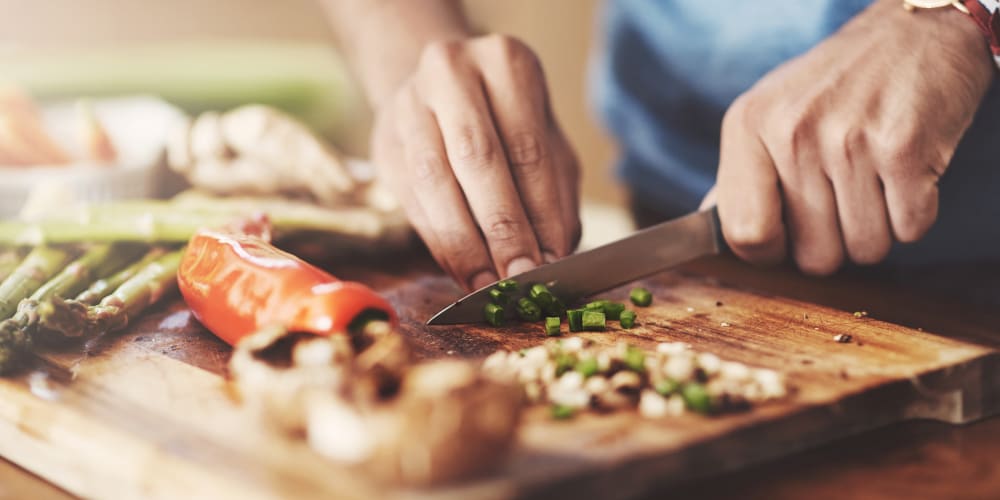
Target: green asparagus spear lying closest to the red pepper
73, 319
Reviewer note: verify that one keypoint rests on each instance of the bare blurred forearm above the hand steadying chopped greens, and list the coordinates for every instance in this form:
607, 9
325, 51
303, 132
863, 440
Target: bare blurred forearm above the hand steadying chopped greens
382, 39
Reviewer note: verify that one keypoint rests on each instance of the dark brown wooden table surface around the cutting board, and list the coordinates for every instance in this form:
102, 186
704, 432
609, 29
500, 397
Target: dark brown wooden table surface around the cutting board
912, 460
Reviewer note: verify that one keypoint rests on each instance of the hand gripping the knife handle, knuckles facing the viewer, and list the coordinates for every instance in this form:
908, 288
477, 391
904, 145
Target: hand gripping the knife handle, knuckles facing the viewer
838, 152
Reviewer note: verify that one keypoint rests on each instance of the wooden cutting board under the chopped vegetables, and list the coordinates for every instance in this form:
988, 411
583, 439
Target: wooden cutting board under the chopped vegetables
146, 413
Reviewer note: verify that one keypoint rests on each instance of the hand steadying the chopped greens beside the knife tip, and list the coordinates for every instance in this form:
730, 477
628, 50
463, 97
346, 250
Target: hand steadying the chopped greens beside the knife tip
470, 146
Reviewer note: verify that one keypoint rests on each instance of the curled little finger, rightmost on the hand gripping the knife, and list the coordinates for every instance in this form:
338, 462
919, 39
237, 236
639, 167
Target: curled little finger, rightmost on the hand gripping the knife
912, 202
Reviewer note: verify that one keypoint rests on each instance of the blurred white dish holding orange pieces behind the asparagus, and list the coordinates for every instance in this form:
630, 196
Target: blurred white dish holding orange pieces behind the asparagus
138, 128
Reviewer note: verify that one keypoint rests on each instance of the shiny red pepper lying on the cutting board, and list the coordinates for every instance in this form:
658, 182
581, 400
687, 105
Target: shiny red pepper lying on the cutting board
237, 284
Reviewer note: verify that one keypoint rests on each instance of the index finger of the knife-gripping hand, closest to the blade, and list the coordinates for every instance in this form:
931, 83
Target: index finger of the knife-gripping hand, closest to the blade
748, 192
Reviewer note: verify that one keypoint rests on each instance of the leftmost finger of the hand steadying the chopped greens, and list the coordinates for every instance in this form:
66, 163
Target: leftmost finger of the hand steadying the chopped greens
453, 233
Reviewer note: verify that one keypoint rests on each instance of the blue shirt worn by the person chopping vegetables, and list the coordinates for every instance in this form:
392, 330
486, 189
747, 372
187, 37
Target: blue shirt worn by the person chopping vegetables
671, 68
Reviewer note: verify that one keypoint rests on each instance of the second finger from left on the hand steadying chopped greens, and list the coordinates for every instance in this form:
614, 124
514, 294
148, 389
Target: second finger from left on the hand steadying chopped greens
476, 156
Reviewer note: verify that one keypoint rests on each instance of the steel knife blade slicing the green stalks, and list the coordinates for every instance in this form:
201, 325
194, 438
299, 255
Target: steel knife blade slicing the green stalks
644, 253
